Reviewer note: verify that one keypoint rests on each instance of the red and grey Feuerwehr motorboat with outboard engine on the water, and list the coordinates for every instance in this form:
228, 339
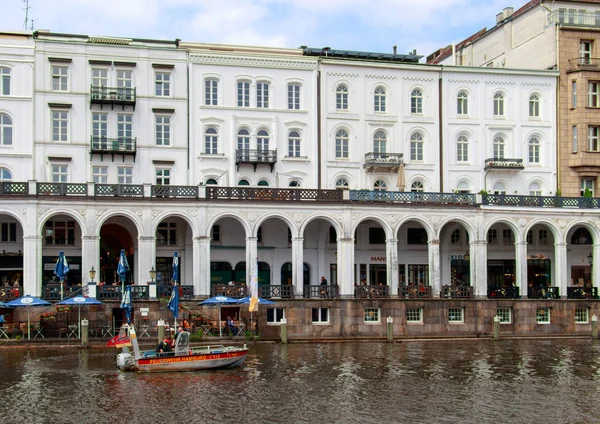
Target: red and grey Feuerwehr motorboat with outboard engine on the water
183, 358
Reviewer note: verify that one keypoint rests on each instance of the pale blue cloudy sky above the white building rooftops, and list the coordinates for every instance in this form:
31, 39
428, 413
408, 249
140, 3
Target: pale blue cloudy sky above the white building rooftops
367, 25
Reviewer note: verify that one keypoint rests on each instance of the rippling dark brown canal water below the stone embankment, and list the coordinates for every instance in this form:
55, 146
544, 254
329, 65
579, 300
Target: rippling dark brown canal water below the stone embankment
474, 381
